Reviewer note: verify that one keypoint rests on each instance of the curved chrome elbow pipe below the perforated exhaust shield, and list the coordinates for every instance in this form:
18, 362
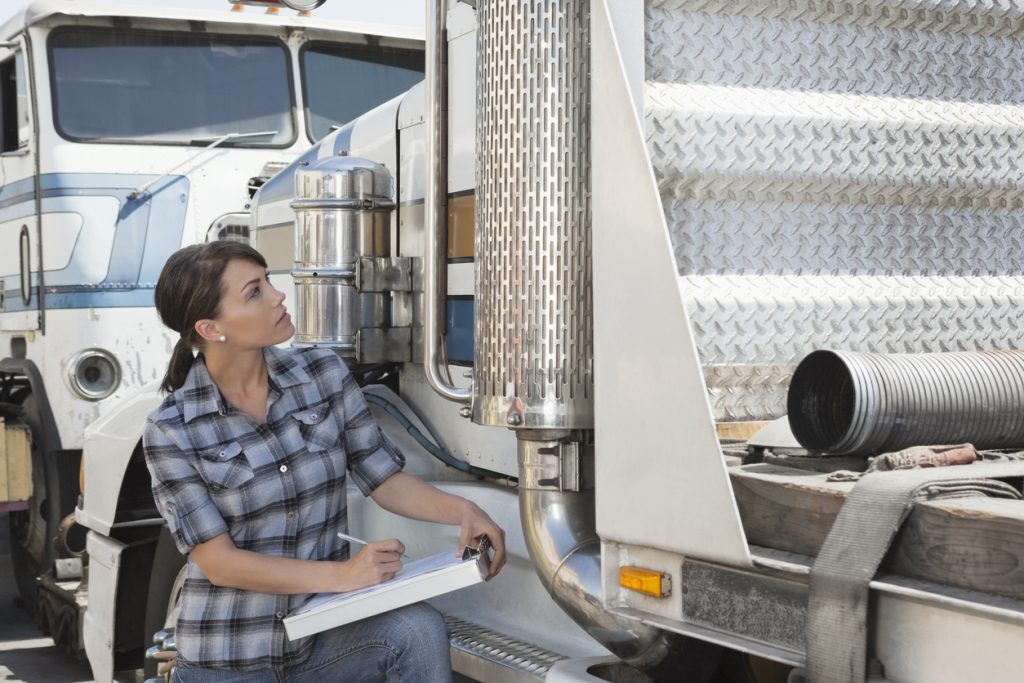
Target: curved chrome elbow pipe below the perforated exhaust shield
562, 537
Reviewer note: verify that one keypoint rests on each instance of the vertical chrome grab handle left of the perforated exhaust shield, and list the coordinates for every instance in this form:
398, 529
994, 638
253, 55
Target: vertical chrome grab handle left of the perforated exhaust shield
436, 204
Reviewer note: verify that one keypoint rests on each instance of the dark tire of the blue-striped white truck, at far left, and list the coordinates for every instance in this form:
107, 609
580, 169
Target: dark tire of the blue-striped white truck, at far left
33, 531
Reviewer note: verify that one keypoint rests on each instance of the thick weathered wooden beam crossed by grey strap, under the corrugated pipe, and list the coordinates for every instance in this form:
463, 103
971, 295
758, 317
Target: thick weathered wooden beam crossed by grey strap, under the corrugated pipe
976, 543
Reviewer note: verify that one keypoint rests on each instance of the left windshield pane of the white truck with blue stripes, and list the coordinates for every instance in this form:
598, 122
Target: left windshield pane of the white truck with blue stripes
169, 89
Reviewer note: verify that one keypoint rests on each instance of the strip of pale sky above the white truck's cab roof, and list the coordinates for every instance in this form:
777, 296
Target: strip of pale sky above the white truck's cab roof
388, 12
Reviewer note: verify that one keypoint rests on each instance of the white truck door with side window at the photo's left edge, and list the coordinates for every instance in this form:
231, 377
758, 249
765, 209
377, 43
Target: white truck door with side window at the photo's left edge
21, 252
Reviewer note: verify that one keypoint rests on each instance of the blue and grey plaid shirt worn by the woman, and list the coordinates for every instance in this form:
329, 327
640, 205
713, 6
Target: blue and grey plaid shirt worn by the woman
279, 489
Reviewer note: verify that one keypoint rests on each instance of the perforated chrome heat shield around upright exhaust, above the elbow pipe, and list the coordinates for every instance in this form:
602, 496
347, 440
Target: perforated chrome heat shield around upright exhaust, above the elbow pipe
534, 365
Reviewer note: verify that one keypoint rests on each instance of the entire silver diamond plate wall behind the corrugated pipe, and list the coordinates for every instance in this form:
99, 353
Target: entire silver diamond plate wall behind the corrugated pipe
838, 176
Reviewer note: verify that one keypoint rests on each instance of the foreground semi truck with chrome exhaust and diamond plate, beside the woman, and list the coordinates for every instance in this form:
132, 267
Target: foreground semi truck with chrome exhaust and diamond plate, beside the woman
577, 270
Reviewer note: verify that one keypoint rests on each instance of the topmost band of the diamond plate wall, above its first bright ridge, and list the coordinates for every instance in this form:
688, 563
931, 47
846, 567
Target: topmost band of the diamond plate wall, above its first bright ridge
804, 47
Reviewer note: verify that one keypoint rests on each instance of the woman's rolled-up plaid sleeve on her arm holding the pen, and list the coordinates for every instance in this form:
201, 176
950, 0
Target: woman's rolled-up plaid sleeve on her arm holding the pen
181, 494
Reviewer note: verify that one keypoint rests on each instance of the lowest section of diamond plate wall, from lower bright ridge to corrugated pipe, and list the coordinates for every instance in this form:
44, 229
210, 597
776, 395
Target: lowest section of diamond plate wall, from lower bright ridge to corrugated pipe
778, 319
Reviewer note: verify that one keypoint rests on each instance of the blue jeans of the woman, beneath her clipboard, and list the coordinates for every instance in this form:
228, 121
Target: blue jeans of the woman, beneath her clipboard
409, 645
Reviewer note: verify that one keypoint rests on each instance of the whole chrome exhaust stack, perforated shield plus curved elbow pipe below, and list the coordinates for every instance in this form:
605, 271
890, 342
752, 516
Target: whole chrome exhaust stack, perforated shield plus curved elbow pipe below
534, 325
